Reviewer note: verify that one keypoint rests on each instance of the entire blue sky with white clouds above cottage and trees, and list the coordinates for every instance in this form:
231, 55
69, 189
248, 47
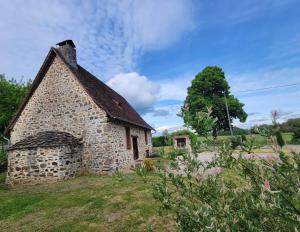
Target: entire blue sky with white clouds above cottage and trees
150, 50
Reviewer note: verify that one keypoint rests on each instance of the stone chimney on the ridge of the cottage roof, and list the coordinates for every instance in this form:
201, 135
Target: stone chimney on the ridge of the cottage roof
68, 50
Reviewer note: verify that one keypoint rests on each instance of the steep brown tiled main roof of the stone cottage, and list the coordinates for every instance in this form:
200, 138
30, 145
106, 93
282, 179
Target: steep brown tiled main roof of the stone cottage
116, 107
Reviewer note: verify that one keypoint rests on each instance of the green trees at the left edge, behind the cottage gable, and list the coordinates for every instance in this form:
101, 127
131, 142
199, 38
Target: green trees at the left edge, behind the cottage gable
11, 96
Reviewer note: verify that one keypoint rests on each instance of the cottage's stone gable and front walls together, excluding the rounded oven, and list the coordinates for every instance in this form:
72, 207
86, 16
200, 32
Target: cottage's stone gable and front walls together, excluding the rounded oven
60, 103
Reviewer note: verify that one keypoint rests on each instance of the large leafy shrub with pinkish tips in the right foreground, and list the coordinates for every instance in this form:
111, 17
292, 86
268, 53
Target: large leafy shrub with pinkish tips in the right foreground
250, 195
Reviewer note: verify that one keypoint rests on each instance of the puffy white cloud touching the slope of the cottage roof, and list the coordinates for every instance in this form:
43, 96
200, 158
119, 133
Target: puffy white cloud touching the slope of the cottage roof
140, 92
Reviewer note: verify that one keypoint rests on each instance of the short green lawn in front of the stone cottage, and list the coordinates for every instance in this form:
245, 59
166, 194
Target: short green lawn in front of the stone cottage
86, 203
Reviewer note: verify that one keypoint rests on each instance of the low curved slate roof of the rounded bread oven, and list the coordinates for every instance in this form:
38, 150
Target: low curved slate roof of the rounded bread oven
47, 139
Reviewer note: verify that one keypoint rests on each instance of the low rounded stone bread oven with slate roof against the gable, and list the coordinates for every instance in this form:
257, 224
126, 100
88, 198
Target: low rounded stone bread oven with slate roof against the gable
45, 157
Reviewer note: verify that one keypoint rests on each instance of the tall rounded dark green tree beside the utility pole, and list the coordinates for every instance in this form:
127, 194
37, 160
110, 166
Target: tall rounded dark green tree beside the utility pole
207, 91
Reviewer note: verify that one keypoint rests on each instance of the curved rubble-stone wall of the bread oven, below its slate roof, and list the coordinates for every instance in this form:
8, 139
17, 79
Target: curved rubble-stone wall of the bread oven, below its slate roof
43, 164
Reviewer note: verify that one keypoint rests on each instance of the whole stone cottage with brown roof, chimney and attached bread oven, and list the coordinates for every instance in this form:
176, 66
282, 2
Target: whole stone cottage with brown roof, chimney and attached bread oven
70, 122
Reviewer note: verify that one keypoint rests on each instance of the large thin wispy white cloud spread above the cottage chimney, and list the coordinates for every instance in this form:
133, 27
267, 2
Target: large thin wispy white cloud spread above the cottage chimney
110, 35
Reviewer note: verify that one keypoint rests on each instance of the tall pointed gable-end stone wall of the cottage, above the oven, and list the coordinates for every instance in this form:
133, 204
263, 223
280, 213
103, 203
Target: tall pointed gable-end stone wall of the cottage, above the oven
60, 103
